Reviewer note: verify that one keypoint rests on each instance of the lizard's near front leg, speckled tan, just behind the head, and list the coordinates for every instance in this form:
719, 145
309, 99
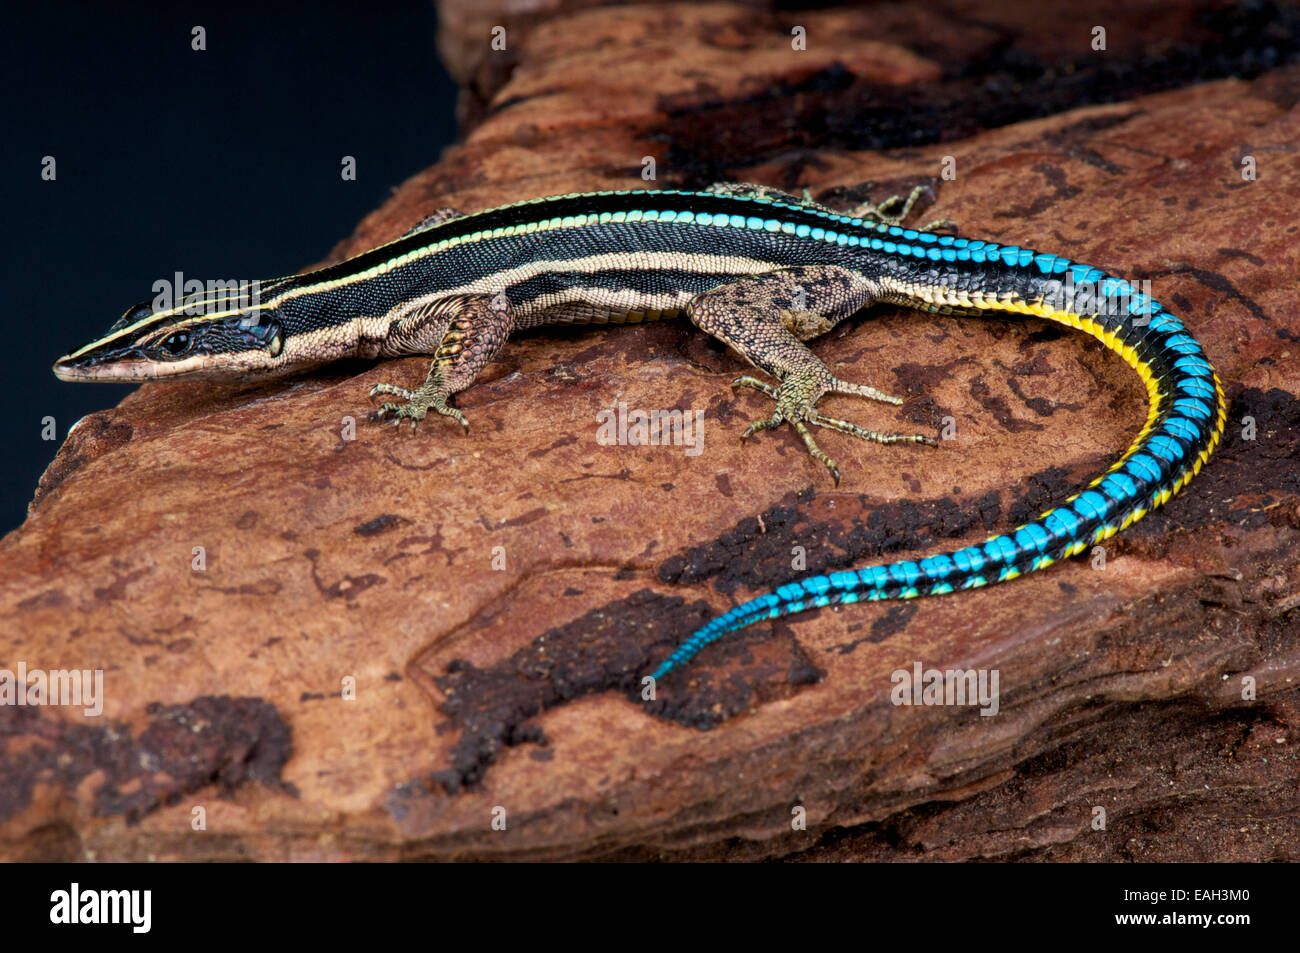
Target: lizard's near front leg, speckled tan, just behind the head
478, 330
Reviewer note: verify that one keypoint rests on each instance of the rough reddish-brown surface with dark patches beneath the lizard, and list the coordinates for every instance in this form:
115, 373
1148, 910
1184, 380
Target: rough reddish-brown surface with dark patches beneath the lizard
483, 692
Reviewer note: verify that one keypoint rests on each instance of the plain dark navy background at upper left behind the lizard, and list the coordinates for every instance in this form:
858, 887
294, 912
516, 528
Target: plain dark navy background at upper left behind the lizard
219, 164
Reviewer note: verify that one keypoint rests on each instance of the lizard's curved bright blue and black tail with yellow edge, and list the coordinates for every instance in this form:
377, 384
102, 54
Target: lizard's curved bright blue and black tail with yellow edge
1186, 418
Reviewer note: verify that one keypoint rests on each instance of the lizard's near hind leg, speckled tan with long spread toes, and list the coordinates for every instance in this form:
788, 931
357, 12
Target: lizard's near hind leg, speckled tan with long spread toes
766, 318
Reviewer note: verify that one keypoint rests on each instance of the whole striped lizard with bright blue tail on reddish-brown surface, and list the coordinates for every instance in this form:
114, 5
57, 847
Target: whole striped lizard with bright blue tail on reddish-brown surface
760, 270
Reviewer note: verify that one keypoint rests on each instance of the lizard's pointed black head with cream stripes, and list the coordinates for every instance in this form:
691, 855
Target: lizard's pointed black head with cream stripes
209, 339
